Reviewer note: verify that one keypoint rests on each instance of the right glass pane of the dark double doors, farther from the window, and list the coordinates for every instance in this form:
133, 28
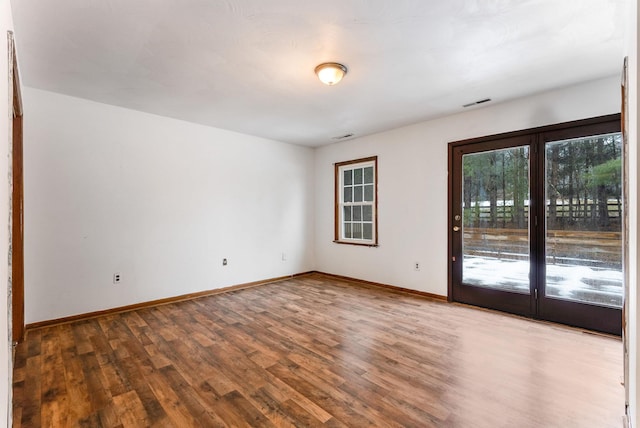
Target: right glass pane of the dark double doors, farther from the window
583, 235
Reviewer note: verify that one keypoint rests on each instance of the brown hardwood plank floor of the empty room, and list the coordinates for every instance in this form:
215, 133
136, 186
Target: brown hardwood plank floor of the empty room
316, 351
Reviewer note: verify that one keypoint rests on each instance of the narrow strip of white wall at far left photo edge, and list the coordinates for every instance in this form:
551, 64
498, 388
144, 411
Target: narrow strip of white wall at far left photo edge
6, 363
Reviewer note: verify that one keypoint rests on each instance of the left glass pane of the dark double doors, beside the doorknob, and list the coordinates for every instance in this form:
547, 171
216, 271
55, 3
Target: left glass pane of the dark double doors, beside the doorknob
495, 219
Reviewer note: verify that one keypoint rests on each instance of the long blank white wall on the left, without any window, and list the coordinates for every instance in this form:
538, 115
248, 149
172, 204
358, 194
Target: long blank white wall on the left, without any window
158, 200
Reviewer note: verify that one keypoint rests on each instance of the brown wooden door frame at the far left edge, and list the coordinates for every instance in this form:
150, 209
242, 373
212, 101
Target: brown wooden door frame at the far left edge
17, 201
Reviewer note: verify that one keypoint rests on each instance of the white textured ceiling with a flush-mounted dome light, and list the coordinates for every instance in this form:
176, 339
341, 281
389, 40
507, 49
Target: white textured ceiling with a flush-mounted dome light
247, 65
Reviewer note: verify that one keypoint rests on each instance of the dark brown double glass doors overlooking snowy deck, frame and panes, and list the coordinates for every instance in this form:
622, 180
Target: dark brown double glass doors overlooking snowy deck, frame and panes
535, 223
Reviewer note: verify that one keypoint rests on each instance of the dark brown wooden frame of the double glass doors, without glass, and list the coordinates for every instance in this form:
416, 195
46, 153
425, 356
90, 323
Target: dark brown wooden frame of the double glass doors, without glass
582, 315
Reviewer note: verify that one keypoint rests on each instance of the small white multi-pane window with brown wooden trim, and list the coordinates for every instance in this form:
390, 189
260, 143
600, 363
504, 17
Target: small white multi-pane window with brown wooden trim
357, 202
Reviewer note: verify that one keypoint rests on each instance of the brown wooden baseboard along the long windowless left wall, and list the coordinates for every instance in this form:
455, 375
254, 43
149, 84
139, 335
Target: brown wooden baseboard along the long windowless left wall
158, 302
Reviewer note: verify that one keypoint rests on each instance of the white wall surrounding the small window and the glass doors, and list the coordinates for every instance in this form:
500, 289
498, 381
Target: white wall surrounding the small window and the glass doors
412, 163
